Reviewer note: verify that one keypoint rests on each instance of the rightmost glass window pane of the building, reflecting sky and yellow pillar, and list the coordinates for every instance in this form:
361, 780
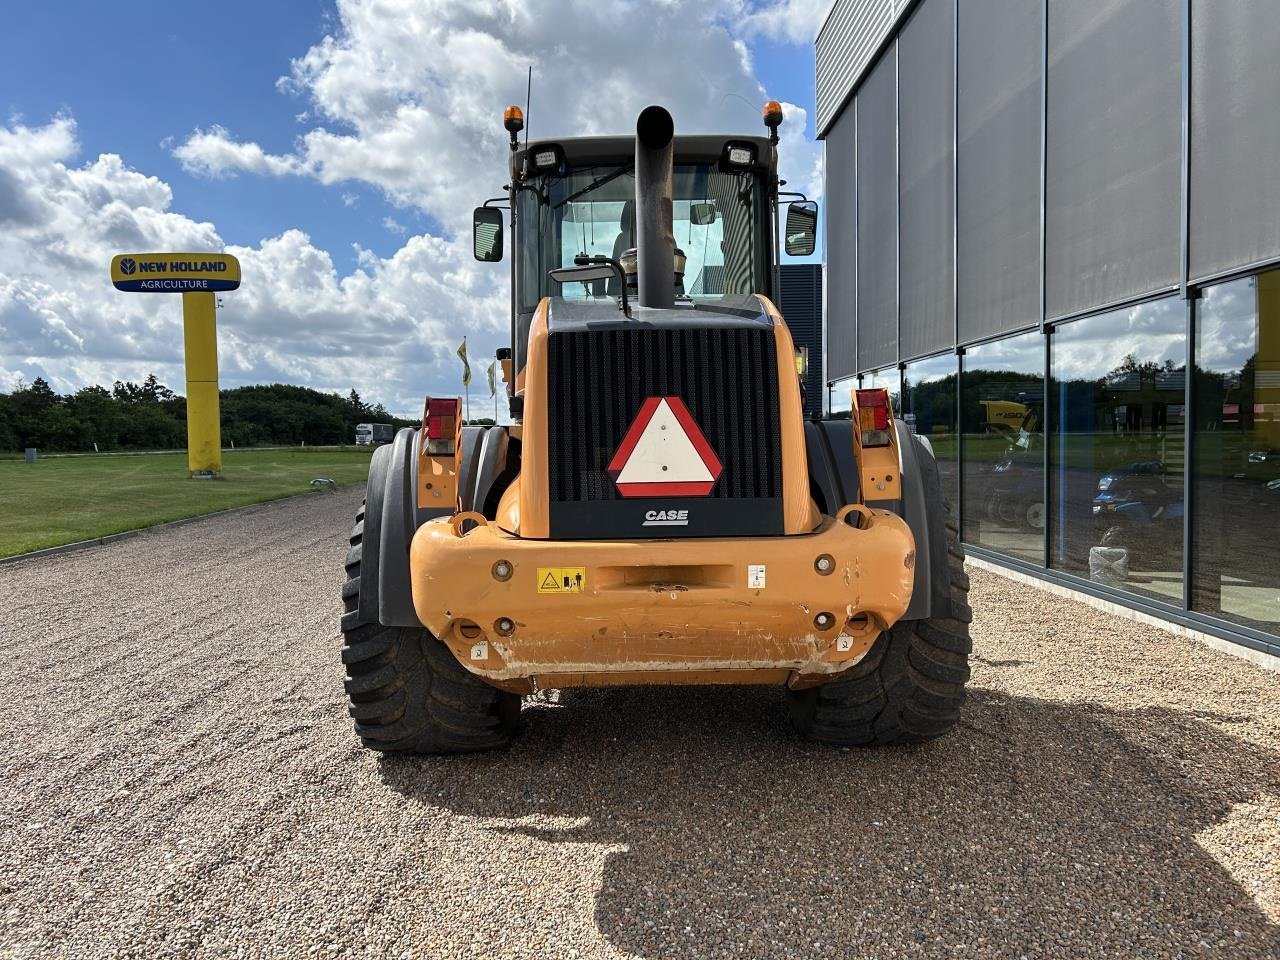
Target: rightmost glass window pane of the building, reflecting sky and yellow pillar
1237, 477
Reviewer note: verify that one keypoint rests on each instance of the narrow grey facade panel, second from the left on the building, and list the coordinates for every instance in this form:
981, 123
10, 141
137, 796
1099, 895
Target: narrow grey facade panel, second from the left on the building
877, 217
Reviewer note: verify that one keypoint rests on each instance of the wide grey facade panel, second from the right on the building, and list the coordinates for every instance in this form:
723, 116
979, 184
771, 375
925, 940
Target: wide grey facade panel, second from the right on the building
1114, 152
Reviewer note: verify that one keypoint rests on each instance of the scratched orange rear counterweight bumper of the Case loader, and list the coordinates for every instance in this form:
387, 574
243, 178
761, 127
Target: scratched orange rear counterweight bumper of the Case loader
528, 615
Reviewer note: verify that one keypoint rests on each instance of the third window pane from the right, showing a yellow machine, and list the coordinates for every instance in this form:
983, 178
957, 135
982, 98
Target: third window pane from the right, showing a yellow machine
1003, 401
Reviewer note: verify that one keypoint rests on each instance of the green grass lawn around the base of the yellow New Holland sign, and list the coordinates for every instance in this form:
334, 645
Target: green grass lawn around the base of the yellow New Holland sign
63, 500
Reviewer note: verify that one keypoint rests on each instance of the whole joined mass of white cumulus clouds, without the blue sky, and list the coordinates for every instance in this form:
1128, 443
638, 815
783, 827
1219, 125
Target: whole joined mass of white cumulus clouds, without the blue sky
405, 97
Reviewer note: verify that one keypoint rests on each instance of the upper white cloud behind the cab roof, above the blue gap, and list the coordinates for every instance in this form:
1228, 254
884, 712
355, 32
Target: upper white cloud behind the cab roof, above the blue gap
408, 97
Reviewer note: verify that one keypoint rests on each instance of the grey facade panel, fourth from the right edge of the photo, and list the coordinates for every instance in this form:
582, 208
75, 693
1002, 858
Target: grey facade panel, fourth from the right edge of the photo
926, 131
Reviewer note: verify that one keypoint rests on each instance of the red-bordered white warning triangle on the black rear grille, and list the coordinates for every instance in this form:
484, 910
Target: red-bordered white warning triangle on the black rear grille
665, 454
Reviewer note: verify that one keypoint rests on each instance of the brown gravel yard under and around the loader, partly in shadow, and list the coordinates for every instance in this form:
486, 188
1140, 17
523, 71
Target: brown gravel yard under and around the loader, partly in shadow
180, 779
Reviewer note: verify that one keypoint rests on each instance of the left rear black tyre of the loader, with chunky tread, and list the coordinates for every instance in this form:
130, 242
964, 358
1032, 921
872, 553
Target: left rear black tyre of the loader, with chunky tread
405, 689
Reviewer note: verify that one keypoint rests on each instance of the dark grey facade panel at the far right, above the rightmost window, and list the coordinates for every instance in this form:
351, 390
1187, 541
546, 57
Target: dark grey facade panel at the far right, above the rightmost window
1236, 136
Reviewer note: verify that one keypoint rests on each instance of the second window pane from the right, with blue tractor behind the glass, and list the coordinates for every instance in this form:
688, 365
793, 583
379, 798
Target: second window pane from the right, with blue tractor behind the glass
1117, 465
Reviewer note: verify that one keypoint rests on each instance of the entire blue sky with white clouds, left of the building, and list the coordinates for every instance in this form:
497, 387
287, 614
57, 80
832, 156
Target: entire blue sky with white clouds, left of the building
337, 149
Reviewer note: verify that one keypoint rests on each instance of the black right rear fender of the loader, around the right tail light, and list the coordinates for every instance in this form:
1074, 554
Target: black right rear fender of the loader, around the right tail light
834, 482
